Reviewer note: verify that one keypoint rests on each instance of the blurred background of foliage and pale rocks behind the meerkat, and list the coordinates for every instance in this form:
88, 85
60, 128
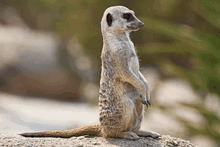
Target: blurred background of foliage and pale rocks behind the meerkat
50, 65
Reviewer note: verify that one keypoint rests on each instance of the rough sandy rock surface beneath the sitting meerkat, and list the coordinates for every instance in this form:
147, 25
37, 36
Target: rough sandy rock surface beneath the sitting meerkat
88, 141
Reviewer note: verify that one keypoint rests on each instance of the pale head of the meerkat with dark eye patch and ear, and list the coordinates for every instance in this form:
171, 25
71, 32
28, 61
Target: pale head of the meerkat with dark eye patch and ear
119, 19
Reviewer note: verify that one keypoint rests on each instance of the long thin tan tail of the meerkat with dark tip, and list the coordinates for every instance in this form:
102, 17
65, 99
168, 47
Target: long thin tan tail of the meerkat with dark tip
94, 130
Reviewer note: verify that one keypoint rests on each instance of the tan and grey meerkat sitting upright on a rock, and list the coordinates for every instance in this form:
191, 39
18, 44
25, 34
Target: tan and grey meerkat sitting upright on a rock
123, 89
